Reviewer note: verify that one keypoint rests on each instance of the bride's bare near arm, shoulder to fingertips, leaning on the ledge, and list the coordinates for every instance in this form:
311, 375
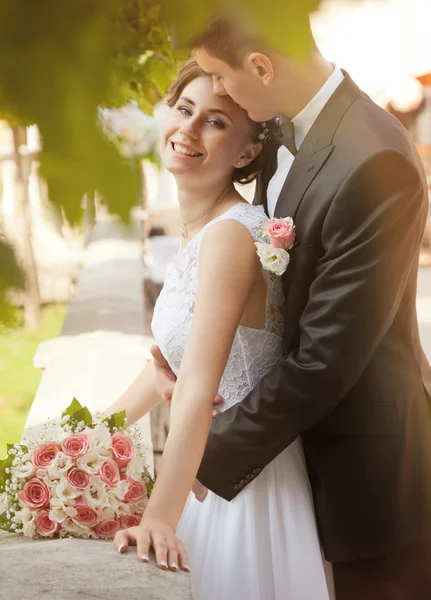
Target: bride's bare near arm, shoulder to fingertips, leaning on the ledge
228, 271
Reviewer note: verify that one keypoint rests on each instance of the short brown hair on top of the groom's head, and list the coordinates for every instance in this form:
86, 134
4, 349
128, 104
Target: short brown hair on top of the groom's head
228, 40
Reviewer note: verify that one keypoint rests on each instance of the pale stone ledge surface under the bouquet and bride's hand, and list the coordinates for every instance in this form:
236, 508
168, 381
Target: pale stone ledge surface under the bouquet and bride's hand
68, 569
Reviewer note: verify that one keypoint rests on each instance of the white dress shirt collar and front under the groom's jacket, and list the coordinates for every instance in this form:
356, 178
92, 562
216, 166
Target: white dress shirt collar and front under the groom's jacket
303, 123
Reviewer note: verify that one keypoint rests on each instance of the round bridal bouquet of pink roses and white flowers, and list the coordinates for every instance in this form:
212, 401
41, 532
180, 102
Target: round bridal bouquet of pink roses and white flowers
77, 477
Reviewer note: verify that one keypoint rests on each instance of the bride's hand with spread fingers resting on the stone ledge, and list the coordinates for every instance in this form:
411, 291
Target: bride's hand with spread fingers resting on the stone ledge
151, 533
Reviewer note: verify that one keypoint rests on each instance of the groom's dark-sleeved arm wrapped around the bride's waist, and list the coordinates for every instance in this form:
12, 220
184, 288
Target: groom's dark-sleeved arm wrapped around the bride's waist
371, 236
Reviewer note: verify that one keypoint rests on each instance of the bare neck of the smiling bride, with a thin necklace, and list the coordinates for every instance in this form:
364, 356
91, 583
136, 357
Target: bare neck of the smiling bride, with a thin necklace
196, 200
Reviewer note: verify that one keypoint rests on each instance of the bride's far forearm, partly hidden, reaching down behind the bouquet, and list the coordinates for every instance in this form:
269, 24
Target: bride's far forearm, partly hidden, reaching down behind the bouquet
140, 397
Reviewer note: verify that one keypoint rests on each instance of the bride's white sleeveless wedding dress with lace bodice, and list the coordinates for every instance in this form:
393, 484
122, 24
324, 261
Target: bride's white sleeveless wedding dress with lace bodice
263, 545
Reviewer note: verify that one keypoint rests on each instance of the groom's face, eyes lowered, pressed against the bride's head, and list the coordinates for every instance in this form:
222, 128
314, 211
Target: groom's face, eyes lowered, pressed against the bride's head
241, 85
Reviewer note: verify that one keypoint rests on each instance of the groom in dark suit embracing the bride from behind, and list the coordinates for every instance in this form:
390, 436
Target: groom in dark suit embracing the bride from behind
350, 380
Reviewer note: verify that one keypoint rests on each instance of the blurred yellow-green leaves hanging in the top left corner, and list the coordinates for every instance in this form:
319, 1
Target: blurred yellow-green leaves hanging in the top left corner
60, 61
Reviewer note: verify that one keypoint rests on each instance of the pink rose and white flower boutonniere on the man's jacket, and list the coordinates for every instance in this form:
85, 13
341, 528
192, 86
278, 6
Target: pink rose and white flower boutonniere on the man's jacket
277, 237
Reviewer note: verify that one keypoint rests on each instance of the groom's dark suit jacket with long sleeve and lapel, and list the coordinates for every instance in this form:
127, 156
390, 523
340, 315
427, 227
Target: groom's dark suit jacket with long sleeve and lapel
350, 379
